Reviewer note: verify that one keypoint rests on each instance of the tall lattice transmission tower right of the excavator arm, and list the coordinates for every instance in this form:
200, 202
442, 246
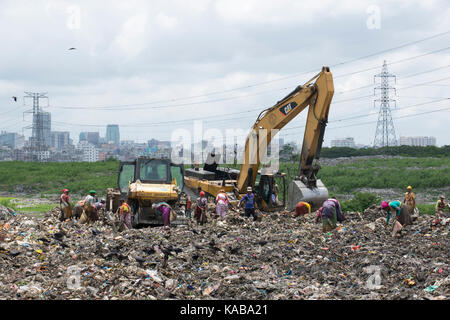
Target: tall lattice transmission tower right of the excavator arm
385, 132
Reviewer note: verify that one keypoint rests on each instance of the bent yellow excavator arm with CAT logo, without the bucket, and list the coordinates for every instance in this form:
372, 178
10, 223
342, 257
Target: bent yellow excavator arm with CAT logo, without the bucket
318, 96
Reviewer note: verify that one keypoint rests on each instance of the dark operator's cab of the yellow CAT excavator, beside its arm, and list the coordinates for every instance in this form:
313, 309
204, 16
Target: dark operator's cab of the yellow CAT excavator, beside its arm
270, 195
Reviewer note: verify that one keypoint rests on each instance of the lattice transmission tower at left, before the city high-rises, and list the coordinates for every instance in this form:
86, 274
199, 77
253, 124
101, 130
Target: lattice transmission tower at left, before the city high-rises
38, 145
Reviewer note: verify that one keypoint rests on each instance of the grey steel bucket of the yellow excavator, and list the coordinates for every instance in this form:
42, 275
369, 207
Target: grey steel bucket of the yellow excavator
298, 191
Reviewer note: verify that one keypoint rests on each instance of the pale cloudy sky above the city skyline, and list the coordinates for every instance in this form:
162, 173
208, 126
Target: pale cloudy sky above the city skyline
154, 66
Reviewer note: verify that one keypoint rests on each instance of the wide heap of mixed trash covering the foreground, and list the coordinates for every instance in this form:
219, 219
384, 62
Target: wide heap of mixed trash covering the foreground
279, 257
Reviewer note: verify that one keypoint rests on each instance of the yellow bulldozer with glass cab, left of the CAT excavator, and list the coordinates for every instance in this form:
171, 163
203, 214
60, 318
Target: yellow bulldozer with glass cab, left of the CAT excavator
144, 182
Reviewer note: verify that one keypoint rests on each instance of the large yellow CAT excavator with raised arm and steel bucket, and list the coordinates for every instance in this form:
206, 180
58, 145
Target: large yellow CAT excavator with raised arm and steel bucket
305, 186
